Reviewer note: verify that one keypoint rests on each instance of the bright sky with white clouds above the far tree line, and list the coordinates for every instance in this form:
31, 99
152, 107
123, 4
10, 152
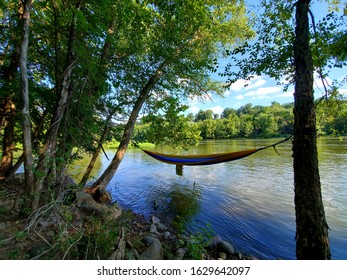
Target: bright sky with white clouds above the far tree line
262, 90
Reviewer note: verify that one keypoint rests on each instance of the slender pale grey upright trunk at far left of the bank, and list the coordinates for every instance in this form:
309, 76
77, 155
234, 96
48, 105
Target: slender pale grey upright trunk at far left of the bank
27, 150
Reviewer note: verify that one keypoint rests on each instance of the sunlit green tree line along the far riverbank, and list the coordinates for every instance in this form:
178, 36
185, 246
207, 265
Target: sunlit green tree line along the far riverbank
245, 122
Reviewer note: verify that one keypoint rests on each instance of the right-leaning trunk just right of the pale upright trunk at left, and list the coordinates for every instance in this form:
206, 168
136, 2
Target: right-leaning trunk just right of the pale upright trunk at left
46, 159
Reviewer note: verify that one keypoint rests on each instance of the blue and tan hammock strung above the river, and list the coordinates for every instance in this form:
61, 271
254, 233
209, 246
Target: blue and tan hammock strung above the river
194, 160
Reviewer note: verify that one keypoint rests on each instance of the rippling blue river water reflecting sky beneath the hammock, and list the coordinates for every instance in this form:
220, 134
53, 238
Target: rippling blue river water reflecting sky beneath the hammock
249, 202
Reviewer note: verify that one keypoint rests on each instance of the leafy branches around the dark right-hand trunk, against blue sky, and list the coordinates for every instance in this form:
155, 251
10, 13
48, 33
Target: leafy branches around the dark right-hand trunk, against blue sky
271, 52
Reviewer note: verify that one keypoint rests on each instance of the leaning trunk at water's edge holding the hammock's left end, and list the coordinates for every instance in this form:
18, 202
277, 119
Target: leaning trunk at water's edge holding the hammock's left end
106, 177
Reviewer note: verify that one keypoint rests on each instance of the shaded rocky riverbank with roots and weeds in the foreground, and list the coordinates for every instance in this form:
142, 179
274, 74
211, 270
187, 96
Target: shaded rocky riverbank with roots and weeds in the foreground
75, 226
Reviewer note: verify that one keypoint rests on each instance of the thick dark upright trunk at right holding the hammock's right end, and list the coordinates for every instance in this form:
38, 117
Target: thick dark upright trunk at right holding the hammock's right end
312, 240
